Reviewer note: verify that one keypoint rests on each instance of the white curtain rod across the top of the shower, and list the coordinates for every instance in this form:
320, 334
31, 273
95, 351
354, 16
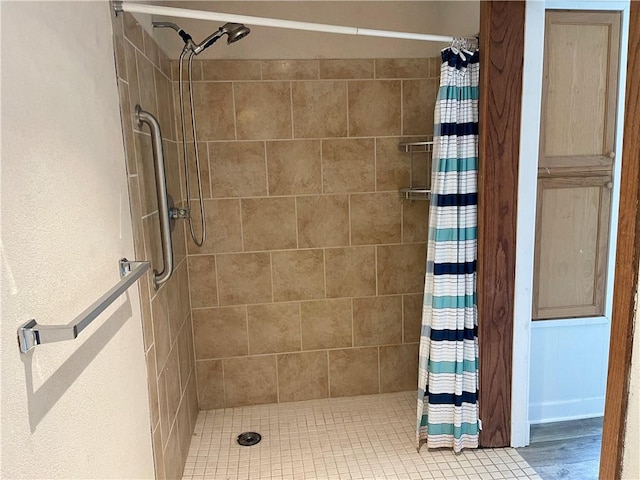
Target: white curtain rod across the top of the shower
120, 6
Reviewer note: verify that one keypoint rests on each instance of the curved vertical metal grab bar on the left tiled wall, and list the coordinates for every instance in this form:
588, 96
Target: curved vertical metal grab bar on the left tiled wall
163, 202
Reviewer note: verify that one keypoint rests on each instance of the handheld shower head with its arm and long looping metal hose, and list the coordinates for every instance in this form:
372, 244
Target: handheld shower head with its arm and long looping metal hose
234, 32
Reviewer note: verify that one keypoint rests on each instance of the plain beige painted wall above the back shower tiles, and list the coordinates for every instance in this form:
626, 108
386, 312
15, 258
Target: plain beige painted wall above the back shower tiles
457, 18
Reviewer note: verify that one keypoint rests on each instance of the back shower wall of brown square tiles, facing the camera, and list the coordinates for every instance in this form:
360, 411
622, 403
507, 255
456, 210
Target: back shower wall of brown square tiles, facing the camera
310, 282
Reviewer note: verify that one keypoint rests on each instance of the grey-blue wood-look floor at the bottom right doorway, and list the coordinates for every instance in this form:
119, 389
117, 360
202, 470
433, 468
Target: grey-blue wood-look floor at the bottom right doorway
565, 450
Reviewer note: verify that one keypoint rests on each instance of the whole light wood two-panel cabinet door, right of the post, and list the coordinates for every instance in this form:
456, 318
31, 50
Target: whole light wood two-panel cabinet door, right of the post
576, 163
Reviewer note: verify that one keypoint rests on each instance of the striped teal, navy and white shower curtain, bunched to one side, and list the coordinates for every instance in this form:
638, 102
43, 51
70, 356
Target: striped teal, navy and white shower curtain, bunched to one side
448, 364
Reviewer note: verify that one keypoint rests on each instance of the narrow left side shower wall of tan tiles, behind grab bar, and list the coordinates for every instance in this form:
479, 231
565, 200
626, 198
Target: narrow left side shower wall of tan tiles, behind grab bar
144, 77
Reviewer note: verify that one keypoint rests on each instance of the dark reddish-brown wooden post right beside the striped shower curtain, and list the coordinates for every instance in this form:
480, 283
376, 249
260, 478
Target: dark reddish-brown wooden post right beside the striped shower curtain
501, 61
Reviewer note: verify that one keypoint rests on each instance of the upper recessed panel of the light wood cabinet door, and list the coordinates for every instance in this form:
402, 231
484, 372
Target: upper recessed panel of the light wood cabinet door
581, 62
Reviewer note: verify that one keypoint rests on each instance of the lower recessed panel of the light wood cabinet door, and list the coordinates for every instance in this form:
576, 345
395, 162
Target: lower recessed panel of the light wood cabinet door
571, 245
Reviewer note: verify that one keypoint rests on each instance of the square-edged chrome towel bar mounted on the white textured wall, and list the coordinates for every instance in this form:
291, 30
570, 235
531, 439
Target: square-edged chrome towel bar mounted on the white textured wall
31, 333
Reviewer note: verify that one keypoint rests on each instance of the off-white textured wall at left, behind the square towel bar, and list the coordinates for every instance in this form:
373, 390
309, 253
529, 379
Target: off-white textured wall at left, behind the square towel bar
76, 409
